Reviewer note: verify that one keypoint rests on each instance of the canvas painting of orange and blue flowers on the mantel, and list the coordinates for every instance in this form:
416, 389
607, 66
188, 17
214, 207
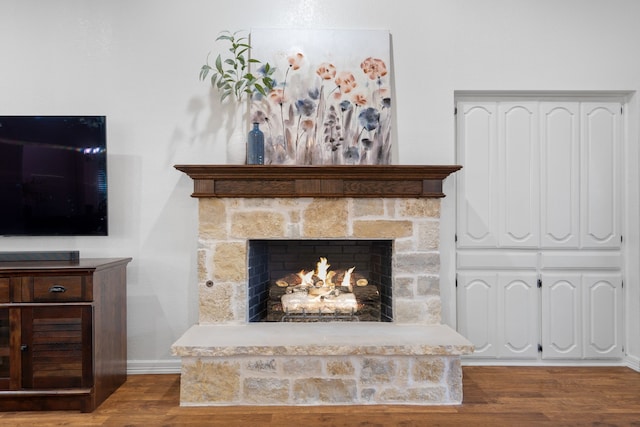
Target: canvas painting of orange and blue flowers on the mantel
331, 102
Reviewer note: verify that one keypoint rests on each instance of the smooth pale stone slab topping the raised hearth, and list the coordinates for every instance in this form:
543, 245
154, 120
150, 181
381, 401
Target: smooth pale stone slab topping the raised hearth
320, 339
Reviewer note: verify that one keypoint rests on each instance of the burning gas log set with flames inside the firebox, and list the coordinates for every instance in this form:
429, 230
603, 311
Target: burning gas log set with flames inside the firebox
323, 295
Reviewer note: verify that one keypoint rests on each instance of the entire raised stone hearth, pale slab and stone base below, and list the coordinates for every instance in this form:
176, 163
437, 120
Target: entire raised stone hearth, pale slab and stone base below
300, 364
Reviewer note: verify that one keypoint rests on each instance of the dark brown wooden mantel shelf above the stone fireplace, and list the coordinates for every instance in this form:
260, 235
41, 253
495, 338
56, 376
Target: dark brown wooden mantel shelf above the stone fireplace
317, 181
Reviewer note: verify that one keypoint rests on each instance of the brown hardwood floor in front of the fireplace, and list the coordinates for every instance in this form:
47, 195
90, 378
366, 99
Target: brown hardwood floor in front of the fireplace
493, 396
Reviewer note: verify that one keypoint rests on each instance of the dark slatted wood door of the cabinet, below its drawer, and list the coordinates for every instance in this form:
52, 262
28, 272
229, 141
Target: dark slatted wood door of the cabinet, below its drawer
56, 346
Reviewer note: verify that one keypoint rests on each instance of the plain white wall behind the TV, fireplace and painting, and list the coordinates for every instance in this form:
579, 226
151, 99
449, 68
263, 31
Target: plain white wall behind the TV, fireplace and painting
137, 61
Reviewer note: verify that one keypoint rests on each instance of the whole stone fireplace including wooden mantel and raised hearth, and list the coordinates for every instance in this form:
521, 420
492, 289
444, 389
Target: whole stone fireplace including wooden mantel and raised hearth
409, 357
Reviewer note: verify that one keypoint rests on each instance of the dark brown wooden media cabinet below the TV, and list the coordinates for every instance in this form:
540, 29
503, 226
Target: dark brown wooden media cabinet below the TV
63, 343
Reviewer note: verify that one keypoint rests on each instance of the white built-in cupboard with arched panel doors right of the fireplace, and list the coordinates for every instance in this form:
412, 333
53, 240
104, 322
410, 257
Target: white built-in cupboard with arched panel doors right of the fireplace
538, 228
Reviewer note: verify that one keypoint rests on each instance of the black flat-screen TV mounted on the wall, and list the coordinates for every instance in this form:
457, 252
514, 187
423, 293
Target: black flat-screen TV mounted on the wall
53, 176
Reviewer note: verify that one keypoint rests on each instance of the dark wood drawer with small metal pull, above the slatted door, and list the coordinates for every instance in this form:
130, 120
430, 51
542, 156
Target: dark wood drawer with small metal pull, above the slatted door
56, 289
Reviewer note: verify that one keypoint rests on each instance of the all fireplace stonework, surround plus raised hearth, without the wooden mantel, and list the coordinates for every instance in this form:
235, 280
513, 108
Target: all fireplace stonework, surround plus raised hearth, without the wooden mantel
313, 366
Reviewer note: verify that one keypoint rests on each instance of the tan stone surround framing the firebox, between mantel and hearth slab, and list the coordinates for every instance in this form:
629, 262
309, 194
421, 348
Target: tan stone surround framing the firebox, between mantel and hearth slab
227, 224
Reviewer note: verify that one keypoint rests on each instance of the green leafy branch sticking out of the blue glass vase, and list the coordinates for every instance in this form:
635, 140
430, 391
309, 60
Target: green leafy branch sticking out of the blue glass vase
231, 75
